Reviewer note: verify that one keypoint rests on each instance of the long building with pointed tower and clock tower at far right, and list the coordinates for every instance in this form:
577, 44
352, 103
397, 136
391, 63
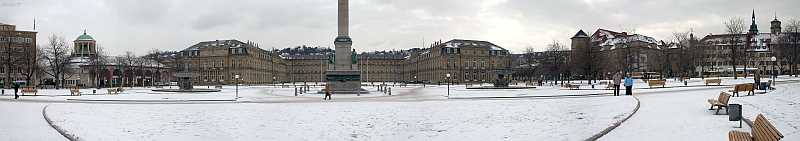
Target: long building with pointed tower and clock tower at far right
753, 51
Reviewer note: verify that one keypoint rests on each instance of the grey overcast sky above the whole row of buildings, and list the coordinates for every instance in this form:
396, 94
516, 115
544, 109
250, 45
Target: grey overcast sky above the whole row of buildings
141, 25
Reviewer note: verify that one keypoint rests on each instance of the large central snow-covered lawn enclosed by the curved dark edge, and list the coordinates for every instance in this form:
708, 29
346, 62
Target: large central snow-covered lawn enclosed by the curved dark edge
552, 119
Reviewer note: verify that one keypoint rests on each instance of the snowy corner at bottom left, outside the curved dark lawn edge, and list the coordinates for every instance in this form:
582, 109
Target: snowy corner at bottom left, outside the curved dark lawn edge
23, 121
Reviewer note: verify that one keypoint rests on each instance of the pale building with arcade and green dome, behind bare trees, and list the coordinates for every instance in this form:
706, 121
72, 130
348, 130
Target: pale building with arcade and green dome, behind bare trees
93, 70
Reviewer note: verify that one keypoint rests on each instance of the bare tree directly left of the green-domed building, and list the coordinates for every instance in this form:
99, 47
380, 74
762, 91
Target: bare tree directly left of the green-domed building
56, 56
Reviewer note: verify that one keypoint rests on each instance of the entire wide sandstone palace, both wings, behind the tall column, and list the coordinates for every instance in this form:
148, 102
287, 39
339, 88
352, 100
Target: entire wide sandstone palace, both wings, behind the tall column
468, 61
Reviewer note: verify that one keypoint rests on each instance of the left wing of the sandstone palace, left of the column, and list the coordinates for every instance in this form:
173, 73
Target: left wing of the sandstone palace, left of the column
217, 62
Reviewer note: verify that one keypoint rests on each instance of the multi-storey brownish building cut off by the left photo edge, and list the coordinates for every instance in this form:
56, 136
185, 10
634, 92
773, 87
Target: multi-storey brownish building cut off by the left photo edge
18, 53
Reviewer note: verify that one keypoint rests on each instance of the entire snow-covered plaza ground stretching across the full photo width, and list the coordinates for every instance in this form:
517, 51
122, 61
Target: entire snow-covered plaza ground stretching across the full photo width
412, 112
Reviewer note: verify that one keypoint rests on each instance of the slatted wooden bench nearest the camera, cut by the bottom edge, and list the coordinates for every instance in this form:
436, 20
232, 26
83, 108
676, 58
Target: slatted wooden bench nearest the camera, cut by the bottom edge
762, 130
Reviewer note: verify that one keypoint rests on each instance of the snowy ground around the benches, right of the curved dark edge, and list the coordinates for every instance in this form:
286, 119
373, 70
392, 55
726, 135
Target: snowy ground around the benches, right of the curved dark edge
682, 113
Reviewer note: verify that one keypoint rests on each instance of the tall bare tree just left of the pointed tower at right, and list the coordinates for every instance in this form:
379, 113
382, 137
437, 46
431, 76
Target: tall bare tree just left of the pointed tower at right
735, 27
